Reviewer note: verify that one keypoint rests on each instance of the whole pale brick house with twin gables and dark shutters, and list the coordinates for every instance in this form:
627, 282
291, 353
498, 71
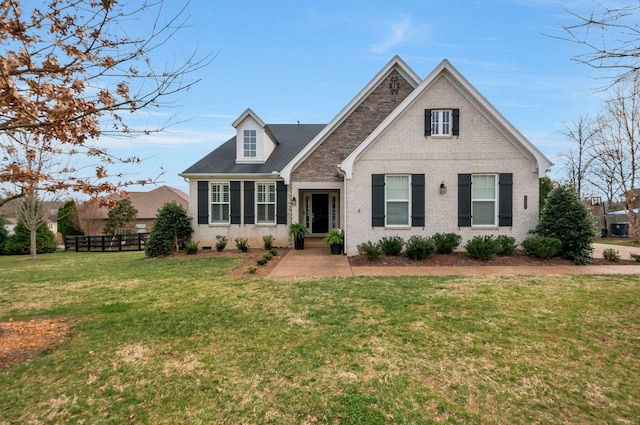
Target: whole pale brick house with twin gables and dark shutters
406, 156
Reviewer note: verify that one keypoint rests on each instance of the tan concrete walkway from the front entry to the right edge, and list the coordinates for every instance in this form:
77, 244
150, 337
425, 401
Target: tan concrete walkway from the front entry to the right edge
316, 261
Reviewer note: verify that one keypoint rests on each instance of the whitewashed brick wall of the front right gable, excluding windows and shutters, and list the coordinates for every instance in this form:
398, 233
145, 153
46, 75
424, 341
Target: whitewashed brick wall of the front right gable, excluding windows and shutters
404, 149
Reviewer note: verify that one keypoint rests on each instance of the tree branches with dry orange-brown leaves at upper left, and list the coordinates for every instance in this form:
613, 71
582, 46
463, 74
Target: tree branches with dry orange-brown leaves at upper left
69, 72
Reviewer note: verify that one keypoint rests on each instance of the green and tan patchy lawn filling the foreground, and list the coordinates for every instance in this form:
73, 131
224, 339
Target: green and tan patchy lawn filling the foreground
176, 341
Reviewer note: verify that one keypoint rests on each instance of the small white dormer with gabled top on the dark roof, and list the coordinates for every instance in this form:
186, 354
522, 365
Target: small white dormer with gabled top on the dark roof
254, 144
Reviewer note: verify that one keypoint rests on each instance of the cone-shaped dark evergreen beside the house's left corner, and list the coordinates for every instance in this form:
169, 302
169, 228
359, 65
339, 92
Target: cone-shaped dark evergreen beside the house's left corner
171, 230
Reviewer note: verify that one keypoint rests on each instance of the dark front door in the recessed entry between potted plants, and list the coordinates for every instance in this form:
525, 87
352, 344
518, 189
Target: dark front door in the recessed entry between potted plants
320, 211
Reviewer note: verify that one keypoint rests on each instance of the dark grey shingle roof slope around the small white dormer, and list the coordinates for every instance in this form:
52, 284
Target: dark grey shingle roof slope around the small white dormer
291, 139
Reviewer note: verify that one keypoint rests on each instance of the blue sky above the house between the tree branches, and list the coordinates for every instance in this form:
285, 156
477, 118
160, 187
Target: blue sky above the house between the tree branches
304, 61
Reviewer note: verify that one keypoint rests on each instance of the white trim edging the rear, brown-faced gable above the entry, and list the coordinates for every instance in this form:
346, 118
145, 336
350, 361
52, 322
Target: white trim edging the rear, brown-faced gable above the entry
397, 64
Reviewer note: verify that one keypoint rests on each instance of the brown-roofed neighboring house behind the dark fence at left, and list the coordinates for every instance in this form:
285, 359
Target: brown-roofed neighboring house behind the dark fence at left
94, 218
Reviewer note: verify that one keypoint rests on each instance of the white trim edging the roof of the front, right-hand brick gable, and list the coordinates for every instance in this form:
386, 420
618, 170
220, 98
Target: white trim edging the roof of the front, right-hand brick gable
539, 162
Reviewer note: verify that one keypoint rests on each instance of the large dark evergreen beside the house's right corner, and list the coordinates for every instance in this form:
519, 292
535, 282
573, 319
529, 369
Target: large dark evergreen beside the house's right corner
567, 218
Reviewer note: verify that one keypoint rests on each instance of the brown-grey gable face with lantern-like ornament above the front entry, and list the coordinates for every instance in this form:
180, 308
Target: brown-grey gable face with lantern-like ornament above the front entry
320, 166
